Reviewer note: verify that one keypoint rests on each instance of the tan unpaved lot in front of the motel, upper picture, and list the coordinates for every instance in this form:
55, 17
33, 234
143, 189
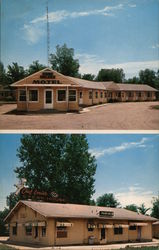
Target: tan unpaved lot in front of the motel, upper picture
111, 116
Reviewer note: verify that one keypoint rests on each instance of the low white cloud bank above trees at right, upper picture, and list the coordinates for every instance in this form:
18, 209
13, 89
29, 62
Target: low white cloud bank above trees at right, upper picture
92, 63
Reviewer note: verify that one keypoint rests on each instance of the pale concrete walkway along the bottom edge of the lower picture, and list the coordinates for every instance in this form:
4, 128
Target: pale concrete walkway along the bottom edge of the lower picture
154, 243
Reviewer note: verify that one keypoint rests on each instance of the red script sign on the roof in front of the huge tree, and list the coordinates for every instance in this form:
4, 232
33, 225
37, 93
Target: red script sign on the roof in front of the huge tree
34, 194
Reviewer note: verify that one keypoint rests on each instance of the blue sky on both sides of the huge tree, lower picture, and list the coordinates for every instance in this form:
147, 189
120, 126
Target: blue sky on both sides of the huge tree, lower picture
127, 165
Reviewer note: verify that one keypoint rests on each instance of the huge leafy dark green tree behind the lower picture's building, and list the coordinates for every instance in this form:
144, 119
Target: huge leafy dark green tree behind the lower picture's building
59, 163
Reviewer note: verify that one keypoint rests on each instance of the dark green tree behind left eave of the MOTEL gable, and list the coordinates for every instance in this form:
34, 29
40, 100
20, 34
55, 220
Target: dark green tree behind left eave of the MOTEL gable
15, 72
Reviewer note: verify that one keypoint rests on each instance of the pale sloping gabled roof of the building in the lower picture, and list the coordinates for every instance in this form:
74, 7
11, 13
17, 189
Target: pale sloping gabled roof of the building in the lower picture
58, 210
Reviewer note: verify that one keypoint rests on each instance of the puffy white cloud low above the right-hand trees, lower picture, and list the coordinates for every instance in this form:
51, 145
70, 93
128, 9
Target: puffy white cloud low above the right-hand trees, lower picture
135, 194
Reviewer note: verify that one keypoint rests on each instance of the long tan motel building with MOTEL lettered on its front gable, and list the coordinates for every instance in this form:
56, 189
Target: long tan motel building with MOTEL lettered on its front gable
48, 89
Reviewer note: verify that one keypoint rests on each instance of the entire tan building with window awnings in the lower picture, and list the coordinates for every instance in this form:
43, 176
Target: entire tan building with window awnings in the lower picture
55, 224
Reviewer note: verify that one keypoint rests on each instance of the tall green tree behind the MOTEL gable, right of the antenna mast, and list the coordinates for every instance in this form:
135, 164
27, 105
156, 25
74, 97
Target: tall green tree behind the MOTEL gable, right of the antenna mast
63, 61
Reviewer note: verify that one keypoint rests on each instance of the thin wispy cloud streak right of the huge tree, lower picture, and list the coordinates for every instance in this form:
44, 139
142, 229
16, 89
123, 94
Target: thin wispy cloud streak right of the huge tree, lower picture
124, 146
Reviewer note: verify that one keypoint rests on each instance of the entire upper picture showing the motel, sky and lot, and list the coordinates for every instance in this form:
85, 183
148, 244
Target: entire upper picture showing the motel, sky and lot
79, 65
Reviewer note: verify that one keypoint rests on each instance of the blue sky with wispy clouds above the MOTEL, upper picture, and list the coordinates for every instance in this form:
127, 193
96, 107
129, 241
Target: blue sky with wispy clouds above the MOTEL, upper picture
104, 33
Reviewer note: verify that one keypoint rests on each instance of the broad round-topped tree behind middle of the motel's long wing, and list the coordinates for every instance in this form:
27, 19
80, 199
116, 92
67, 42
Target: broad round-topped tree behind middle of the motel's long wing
116, 75
